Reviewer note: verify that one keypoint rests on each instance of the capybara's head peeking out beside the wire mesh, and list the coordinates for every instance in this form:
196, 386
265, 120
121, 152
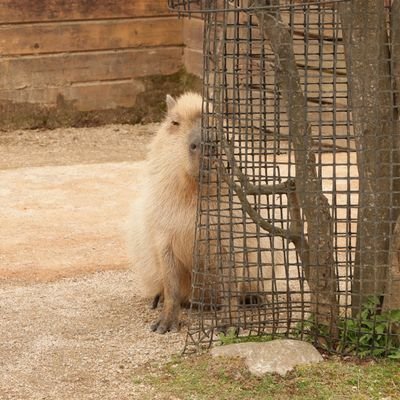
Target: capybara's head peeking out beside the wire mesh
183, 122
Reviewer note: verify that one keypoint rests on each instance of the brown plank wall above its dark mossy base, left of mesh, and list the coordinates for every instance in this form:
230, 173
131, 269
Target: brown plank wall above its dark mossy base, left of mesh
90, 53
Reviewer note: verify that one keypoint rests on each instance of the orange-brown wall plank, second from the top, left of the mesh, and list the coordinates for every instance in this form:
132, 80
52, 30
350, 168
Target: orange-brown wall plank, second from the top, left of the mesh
100, 35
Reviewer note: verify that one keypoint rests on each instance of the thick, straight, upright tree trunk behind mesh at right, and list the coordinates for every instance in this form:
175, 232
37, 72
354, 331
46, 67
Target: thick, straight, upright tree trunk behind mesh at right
367, 57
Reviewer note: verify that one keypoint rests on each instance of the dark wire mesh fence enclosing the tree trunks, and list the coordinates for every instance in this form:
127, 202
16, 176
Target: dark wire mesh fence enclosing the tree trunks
299, 199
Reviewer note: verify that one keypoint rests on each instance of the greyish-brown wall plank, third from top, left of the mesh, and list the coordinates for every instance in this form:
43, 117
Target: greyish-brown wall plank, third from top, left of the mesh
20, 73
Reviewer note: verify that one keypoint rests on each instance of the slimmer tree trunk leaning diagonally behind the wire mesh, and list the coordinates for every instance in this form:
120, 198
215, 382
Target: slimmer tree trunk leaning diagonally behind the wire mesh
320, 271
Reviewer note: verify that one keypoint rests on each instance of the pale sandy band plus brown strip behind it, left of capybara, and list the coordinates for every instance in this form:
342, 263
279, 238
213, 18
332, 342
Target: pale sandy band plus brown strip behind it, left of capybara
64, 197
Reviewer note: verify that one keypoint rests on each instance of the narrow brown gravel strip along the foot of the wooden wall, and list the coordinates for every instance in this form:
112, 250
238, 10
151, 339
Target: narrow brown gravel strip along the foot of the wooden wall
67, 146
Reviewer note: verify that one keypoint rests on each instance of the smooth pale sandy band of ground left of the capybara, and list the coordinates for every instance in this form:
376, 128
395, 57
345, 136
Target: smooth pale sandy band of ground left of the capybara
60, 221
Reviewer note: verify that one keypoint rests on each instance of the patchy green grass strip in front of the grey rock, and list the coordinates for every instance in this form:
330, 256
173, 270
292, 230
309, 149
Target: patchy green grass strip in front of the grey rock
202, 377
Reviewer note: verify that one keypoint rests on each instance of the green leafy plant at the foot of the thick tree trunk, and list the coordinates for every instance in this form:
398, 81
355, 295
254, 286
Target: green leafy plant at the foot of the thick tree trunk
371, 333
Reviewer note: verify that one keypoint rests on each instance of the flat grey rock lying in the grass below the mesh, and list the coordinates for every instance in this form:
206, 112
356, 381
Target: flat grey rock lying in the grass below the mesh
279, 356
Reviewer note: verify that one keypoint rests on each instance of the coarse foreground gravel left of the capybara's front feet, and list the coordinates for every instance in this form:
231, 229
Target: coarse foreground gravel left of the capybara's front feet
78, 339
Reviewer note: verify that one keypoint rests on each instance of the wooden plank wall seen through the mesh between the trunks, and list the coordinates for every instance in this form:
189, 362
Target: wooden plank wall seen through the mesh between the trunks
251, 81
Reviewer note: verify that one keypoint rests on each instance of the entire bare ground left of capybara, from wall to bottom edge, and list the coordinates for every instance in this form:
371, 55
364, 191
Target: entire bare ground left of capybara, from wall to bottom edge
71, 326
